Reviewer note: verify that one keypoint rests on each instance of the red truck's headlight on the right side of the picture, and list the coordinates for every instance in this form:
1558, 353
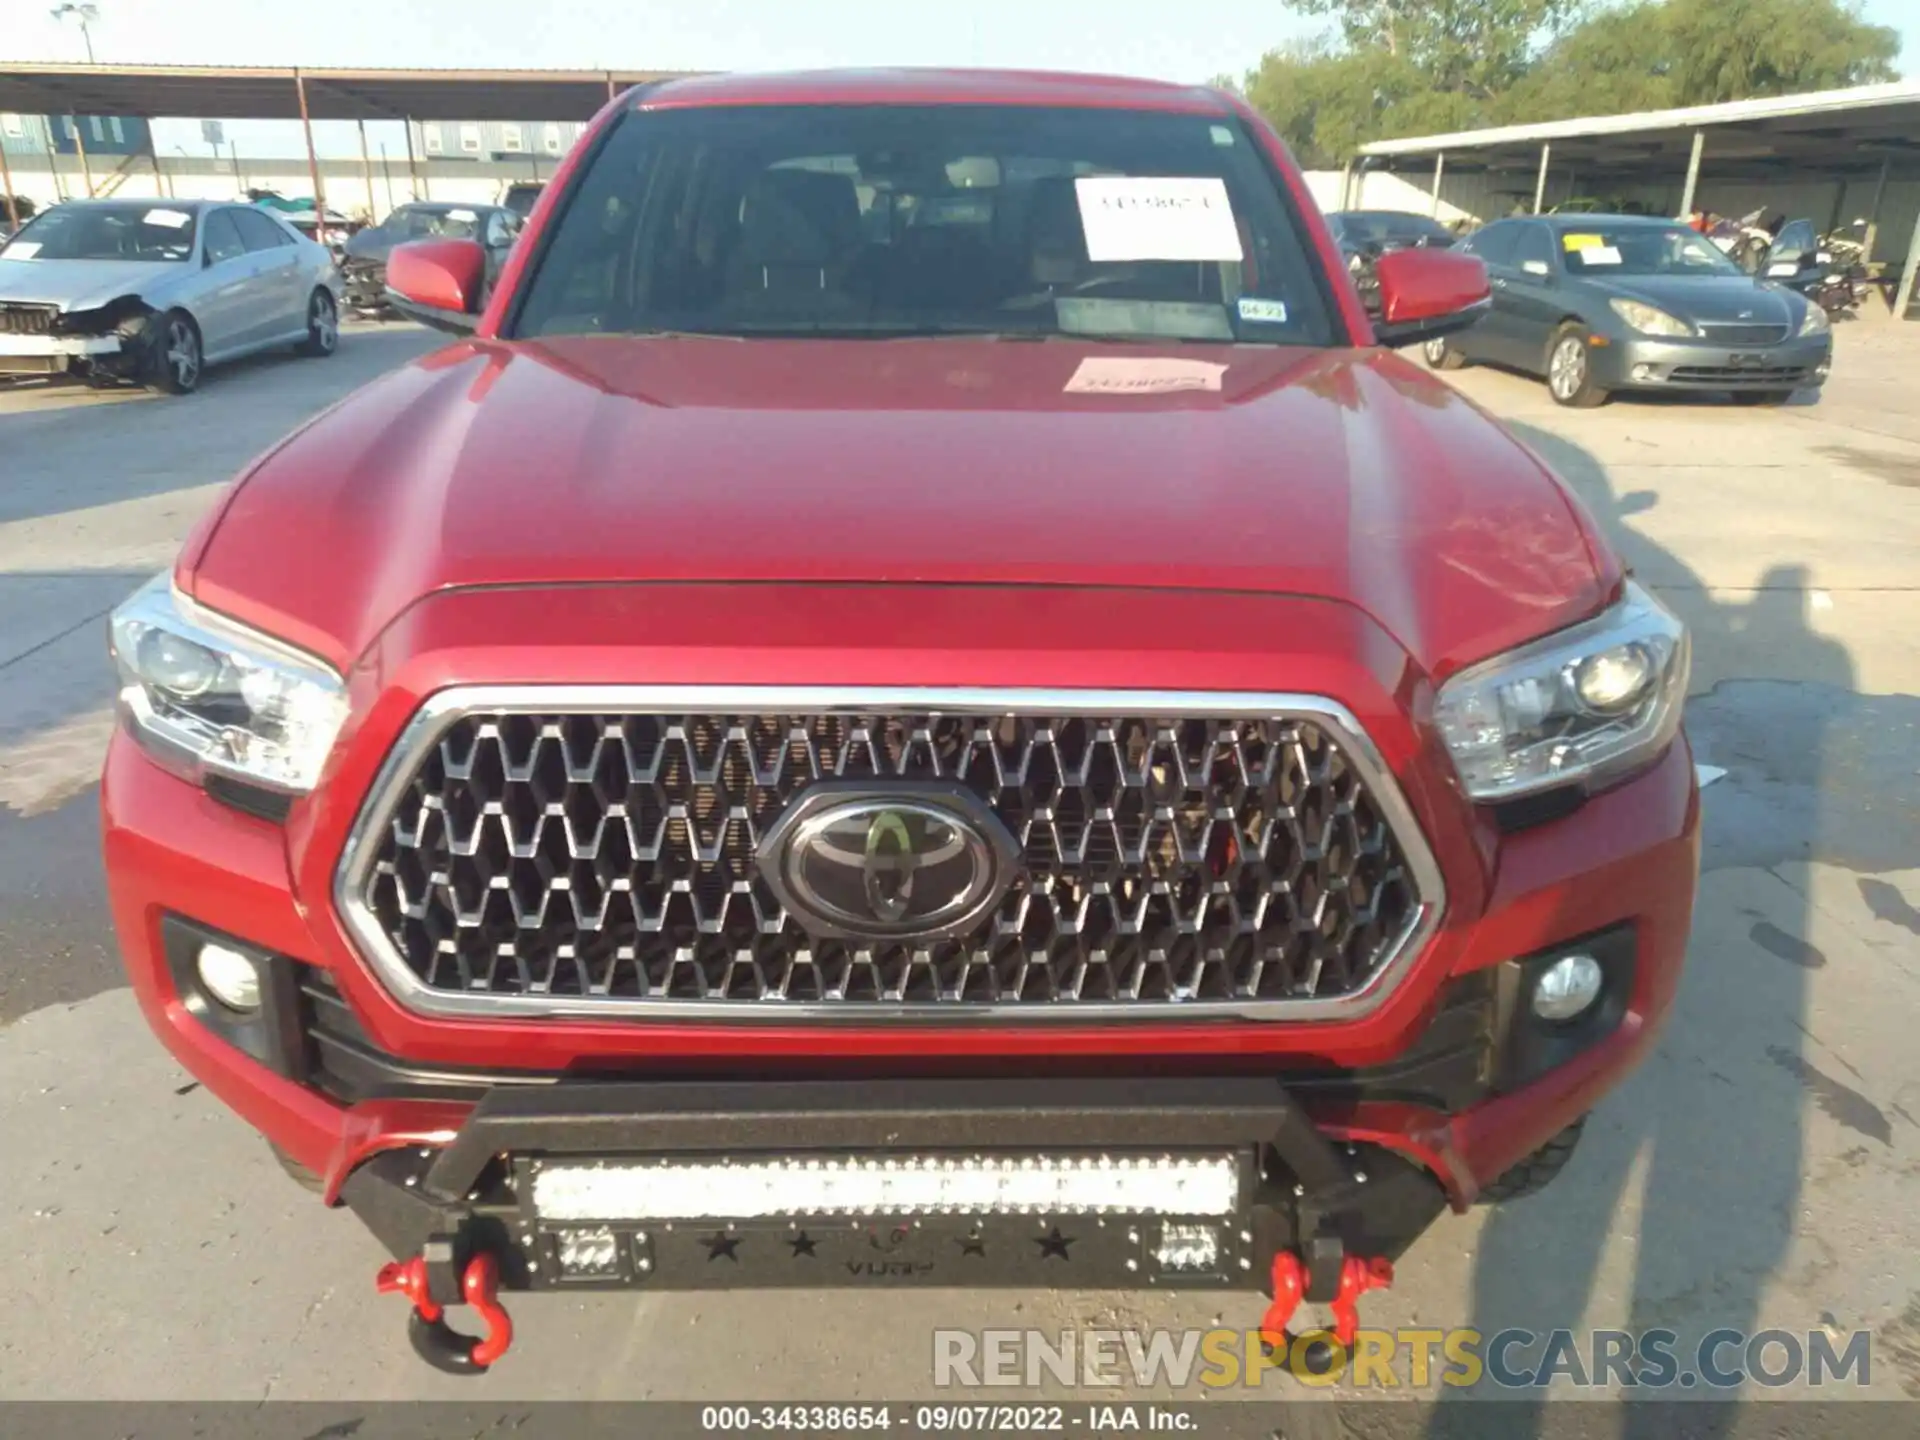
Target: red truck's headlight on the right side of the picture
1579, 706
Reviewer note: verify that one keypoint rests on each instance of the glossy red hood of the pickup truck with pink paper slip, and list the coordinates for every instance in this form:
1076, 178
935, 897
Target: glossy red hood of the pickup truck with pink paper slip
1330, 473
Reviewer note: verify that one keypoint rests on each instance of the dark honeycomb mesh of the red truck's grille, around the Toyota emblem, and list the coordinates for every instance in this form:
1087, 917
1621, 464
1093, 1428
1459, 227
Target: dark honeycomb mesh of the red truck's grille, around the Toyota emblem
1163, 861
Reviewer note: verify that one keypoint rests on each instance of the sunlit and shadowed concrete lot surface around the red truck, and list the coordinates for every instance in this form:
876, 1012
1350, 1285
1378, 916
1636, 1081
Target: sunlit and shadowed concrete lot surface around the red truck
1758, 1172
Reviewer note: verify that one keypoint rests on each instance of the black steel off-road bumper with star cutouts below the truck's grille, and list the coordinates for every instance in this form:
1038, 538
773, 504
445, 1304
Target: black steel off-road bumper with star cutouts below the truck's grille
1297, 1191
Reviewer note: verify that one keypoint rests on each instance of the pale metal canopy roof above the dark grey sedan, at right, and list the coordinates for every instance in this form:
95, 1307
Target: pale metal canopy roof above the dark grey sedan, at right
1838, 132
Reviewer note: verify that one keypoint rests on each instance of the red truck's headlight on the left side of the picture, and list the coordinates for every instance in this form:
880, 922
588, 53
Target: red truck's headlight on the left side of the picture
216, 696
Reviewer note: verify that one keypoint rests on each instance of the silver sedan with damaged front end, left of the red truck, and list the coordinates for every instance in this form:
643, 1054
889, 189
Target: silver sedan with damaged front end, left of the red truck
156, 291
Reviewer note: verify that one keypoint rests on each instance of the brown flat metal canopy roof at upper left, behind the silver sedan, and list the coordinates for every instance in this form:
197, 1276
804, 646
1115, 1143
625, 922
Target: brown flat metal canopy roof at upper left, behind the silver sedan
268, 93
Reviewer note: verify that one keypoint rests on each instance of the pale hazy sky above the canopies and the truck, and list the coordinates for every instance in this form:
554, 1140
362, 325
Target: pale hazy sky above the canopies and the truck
1130, 37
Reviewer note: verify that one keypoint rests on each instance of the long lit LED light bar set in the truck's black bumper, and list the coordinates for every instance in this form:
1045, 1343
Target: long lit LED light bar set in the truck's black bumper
911, 1186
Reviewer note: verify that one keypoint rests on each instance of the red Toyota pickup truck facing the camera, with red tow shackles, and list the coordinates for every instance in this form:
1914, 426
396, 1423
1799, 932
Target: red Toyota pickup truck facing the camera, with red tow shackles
921, 698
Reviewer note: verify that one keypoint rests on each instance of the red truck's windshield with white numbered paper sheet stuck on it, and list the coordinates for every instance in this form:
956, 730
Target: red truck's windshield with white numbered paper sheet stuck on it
928, 220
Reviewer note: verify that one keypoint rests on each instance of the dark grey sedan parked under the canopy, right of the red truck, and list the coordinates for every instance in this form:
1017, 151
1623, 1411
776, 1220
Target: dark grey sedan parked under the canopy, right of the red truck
1623, 302
